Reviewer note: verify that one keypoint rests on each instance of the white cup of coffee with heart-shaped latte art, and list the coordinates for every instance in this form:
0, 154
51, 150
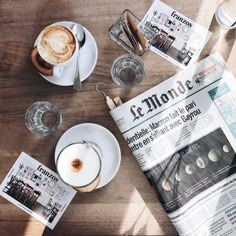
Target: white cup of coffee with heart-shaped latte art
56, 47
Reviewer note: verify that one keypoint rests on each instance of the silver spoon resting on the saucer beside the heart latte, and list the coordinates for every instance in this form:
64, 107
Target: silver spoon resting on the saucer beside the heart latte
80, 36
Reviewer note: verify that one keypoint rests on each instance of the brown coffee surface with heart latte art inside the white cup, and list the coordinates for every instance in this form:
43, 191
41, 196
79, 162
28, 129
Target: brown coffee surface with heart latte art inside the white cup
56, 44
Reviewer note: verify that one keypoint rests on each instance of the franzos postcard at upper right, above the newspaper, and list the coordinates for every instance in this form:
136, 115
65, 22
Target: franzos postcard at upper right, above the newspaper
179, 39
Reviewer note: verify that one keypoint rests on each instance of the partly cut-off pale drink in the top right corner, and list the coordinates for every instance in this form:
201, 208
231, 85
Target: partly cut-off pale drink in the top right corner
226, 14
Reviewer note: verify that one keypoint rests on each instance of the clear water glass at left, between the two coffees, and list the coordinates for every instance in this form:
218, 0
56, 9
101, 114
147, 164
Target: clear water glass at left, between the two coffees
42, 118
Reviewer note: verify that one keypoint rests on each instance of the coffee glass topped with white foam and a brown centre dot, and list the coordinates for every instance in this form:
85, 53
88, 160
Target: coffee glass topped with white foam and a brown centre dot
79, 165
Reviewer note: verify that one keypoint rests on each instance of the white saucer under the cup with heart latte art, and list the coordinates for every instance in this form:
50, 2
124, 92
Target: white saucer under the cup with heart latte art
87, 60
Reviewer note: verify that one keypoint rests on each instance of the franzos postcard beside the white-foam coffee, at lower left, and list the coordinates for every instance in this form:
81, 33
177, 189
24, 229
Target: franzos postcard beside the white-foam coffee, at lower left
36, 190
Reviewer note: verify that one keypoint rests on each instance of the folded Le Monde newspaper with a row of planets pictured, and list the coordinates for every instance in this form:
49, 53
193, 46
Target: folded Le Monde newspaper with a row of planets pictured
182, 133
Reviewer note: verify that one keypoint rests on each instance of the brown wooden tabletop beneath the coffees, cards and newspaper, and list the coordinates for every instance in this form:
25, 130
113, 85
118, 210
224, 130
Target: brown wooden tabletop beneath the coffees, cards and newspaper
127, 205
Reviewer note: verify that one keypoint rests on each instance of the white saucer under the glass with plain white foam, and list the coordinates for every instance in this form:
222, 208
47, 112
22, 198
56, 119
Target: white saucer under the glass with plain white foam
111, 154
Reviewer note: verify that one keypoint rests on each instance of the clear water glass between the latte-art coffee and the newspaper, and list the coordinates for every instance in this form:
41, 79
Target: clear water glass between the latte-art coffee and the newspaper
127, 71
